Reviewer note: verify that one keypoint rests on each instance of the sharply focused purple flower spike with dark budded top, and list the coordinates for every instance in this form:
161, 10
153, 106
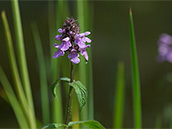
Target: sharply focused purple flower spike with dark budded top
73, 42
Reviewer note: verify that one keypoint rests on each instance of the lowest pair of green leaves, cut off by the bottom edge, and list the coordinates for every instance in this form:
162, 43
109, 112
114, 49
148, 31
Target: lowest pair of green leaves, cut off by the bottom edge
91, 124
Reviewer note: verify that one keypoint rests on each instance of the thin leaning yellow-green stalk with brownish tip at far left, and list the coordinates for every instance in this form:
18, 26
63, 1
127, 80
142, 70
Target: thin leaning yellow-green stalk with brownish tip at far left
15, 73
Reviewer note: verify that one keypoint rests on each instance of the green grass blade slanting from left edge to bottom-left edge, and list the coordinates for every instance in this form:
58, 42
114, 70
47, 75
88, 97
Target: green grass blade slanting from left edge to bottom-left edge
13, 100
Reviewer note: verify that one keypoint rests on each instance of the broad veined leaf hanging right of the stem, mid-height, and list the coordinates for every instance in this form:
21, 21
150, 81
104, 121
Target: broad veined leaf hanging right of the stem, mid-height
81, 93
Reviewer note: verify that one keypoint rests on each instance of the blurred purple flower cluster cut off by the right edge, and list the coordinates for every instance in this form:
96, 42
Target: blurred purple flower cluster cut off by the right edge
165, 48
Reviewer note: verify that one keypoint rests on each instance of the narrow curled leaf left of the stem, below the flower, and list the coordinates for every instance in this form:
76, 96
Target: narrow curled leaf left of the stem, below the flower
56, 83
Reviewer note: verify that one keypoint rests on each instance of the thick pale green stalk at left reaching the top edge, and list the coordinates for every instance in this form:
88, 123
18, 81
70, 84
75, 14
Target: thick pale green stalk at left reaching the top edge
22, 57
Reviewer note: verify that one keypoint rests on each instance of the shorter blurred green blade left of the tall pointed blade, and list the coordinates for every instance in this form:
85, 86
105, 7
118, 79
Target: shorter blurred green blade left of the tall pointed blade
119, 98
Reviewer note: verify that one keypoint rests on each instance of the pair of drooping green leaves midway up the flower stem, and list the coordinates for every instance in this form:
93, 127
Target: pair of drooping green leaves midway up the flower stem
80, 90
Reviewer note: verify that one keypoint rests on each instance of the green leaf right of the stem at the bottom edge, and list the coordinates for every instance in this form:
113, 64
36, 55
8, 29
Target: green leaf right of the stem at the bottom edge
92, 124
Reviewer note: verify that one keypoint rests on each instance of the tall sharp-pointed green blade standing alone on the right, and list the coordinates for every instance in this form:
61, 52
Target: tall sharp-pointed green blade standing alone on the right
135, 78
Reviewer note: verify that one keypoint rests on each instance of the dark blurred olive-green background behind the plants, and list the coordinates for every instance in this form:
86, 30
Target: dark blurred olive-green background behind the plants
110, 44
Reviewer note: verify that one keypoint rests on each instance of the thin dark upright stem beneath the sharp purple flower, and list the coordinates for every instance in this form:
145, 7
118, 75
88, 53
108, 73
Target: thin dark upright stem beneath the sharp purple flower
68, 114
